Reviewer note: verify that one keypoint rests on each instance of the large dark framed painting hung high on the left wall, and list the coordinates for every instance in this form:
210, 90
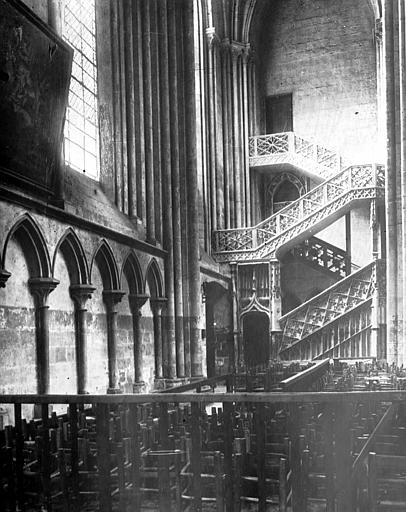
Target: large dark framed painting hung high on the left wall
35, 67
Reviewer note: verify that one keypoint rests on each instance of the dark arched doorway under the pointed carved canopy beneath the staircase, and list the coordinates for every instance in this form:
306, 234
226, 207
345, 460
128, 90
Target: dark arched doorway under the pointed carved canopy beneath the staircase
255, 327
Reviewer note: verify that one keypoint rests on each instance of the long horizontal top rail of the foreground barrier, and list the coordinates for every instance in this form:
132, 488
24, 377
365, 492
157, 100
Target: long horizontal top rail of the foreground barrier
261, 397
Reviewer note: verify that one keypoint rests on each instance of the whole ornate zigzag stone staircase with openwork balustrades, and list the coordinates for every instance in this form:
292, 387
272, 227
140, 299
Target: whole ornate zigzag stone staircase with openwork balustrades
338, 322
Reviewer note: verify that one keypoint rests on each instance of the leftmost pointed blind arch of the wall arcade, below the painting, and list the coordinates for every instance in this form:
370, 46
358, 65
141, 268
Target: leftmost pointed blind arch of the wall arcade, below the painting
26, 231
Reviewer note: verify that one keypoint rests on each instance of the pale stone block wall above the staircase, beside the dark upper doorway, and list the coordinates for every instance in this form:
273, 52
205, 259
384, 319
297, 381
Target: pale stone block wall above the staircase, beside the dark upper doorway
323, 52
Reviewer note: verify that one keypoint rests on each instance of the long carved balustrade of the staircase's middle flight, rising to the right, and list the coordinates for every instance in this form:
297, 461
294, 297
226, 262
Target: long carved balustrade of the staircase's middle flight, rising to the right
331, 198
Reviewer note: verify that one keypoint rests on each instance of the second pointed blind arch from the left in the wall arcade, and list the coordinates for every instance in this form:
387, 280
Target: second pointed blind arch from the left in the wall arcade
72, 250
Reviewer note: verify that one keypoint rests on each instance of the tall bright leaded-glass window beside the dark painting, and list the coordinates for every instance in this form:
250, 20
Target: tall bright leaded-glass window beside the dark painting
81, 125
